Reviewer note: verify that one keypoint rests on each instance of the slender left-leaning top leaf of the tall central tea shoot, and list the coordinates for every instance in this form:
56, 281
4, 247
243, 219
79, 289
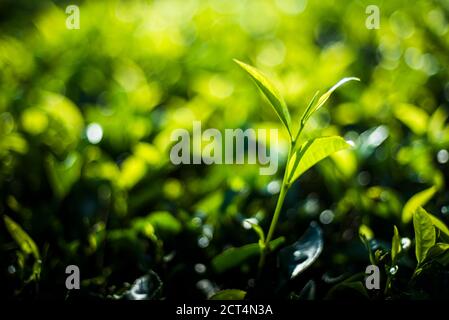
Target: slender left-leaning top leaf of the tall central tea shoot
270, 92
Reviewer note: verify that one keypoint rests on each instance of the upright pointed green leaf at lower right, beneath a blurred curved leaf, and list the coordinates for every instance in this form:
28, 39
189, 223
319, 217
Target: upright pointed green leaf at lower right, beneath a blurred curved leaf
425, 235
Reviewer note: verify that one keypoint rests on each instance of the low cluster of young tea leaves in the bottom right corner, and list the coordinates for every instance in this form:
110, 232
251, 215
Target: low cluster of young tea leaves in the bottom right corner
431, 254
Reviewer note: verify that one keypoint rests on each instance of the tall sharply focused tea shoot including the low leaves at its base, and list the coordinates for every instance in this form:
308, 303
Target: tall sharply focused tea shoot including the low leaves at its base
302, 155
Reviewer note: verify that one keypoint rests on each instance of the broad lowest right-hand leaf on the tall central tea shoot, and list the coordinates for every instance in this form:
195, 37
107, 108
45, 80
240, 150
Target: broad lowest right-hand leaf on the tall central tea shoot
312, 152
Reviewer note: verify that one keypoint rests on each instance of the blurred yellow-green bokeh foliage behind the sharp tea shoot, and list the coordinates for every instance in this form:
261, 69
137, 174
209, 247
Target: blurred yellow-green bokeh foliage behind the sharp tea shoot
86, 116
